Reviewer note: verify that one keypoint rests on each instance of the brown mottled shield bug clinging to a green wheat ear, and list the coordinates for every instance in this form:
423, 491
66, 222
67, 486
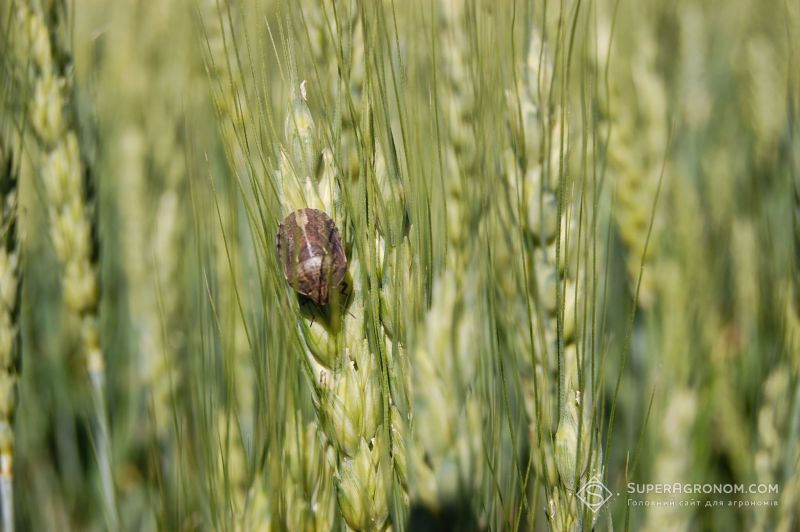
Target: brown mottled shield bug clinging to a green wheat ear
311, 252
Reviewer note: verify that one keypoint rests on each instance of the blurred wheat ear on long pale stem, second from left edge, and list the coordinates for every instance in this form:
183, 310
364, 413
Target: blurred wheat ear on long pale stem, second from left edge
69, 197
